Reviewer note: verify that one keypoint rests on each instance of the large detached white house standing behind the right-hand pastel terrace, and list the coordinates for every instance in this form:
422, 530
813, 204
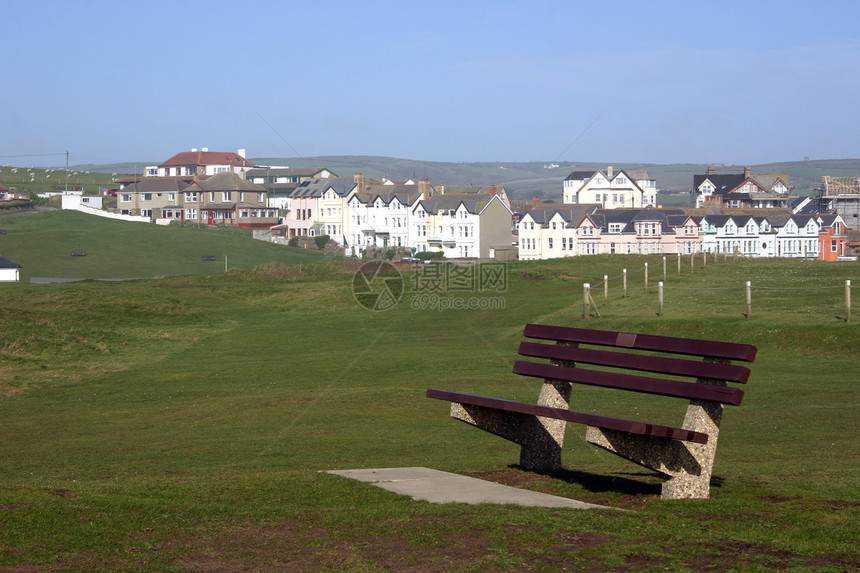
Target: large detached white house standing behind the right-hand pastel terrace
626, 188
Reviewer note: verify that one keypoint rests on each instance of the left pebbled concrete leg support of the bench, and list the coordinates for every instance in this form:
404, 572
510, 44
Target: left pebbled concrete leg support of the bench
541, 439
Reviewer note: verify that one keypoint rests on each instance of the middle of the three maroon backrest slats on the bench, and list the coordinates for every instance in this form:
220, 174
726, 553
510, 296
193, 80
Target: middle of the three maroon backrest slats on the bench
646, 363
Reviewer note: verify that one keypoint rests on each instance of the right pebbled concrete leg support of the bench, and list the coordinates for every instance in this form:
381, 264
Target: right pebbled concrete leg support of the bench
687, 465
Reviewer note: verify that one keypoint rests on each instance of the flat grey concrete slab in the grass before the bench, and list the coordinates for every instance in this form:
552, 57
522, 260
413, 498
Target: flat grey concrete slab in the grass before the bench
443, 487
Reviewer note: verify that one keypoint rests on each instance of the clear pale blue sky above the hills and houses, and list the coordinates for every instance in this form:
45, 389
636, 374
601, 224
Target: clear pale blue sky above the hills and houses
627, 81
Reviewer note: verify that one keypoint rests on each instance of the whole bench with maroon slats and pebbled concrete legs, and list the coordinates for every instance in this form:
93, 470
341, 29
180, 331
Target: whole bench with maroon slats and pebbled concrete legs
697, 370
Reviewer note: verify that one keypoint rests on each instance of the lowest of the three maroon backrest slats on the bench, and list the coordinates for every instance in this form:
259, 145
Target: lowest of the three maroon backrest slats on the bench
645, 384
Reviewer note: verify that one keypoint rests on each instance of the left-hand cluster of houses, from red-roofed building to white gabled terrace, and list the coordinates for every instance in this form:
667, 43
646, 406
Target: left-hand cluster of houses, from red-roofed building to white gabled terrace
217, 188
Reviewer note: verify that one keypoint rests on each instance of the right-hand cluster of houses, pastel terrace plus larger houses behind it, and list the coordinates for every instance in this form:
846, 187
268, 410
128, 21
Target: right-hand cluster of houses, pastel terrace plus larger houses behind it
615, 211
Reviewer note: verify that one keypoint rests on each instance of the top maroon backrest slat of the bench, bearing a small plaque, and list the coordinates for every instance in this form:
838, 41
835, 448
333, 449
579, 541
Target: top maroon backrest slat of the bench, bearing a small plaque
670, 344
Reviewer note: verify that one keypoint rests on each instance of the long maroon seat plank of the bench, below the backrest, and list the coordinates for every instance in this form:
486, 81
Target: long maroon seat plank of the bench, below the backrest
604, 422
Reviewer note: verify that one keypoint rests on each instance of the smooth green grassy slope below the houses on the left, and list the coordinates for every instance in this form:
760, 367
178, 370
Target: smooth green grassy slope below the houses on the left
42, 243
